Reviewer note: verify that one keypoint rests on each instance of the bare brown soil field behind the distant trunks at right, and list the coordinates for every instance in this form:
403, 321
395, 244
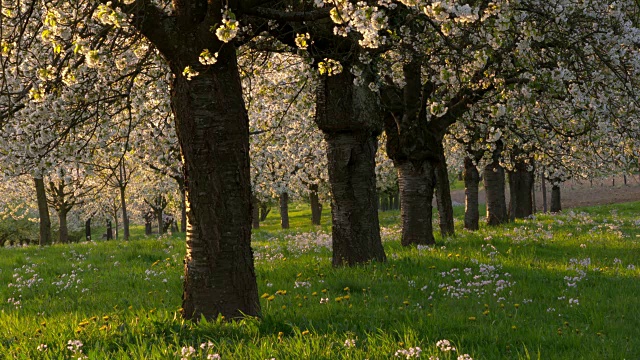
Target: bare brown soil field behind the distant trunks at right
575, 193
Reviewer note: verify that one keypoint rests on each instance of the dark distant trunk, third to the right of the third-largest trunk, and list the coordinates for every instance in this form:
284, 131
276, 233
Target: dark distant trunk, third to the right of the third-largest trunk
494, 190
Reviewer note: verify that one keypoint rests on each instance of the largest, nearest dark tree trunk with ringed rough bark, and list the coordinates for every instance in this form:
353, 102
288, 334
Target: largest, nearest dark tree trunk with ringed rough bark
213, 131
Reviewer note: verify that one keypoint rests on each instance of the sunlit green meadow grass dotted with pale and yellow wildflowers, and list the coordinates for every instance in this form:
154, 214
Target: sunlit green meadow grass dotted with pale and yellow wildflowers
556, 287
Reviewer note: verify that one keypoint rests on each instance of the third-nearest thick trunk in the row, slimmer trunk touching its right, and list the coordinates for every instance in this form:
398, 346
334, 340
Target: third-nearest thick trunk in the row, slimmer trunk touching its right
417, 186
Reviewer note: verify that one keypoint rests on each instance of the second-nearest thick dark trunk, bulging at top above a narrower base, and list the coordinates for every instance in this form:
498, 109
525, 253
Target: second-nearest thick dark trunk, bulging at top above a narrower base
349, 117
